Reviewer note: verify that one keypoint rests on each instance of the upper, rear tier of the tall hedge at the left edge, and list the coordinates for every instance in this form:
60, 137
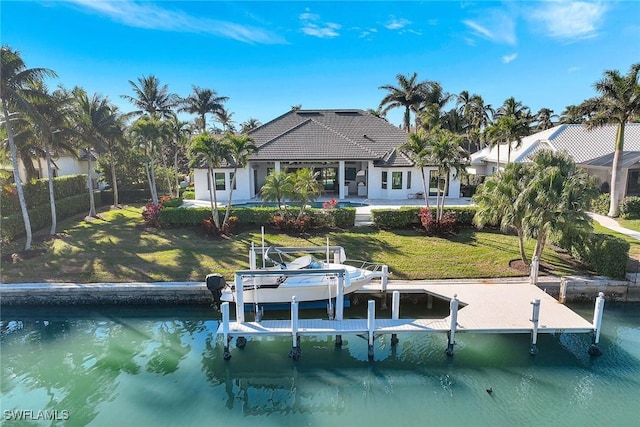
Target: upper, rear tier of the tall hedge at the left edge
36, 193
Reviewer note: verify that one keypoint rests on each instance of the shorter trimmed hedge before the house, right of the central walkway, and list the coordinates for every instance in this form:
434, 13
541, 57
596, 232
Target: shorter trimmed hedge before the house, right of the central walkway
409, 216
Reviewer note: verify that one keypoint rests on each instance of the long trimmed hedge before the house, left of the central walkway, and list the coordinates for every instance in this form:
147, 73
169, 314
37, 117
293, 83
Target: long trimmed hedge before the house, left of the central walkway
330, 218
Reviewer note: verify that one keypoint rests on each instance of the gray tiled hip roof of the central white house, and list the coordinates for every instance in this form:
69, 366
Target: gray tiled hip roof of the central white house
329, 135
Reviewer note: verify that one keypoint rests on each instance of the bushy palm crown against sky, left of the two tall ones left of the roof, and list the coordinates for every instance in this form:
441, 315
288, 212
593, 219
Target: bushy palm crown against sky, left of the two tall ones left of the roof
151, 98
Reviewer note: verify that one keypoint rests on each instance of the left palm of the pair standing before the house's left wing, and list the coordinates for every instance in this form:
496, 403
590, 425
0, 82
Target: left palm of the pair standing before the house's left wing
206, 149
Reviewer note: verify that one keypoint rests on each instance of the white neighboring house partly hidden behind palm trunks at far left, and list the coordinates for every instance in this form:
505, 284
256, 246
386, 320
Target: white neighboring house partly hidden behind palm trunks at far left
64, 164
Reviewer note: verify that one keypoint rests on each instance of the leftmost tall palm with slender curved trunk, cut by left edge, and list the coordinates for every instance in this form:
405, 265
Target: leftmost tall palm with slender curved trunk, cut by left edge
16, 86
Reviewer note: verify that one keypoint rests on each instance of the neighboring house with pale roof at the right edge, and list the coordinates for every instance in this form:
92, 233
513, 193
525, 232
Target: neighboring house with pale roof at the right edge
592, 150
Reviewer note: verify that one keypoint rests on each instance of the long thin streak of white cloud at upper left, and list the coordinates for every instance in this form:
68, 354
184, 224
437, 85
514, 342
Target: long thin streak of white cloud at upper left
149, 16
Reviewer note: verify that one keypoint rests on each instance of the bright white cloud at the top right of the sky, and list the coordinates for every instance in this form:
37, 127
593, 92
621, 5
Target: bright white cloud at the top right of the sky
570, 20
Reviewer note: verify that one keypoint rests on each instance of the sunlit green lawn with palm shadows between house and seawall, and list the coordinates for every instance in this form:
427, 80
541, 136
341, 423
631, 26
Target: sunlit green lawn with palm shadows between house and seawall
117, 248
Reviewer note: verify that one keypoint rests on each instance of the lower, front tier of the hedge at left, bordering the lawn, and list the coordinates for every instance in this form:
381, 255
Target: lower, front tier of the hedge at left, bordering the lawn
40, 217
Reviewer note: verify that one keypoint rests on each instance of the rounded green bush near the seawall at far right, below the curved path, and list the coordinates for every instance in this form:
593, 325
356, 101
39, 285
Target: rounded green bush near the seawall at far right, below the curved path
606, 255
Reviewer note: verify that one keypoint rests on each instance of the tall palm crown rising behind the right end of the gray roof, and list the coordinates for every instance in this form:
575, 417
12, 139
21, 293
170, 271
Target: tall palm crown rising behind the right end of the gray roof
408, 95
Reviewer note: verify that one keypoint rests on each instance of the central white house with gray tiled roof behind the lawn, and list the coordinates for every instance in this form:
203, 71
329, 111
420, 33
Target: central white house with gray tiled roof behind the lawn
355, 153
